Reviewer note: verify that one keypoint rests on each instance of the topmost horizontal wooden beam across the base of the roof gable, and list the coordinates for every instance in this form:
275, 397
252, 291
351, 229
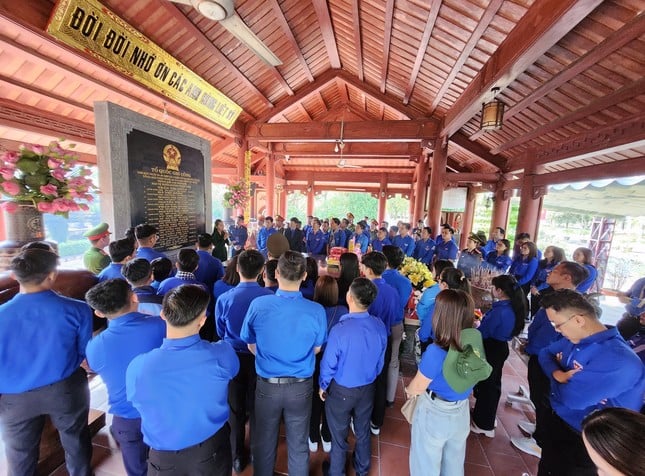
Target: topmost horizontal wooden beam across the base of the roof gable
377, 131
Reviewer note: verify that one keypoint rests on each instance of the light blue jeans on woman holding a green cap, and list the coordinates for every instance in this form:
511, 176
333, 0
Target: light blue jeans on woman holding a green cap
439, 433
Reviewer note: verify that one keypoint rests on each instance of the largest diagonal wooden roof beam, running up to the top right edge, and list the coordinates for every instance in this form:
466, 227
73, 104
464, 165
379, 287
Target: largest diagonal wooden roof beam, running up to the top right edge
543, 25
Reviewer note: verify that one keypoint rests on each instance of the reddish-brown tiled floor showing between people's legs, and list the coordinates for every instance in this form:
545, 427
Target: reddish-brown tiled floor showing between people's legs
390, 450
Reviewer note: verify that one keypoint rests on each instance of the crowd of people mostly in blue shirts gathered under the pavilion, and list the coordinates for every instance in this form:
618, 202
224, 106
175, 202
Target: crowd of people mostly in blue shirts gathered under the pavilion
246, 320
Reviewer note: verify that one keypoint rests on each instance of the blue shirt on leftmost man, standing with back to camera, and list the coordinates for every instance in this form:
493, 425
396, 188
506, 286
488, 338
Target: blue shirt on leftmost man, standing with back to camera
42, 339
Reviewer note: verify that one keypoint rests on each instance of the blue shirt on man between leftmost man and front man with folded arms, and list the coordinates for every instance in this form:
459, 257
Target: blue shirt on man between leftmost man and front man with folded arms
110, 353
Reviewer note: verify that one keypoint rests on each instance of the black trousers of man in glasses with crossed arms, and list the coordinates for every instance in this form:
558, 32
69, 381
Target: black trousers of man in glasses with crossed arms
563, 452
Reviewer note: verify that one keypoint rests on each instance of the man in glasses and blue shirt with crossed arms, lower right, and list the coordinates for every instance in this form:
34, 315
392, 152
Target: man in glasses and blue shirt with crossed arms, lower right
591, 368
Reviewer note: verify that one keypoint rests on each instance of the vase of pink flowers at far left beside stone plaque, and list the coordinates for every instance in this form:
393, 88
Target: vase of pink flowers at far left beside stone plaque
39, 179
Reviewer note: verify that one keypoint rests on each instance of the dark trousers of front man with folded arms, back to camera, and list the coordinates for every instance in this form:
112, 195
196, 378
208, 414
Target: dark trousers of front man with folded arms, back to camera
212, 457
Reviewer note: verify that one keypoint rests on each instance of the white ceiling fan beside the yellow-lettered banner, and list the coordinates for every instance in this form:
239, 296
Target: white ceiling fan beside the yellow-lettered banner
223, 11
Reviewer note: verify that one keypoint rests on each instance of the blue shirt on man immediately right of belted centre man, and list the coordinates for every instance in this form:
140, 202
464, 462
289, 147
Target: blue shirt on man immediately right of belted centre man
355, 351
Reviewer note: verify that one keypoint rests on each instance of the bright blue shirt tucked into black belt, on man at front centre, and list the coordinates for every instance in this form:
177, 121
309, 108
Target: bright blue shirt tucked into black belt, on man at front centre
285, 328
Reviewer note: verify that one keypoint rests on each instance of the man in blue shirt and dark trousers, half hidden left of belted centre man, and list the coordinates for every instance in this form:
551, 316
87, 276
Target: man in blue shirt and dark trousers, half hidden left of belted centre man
230, 310
